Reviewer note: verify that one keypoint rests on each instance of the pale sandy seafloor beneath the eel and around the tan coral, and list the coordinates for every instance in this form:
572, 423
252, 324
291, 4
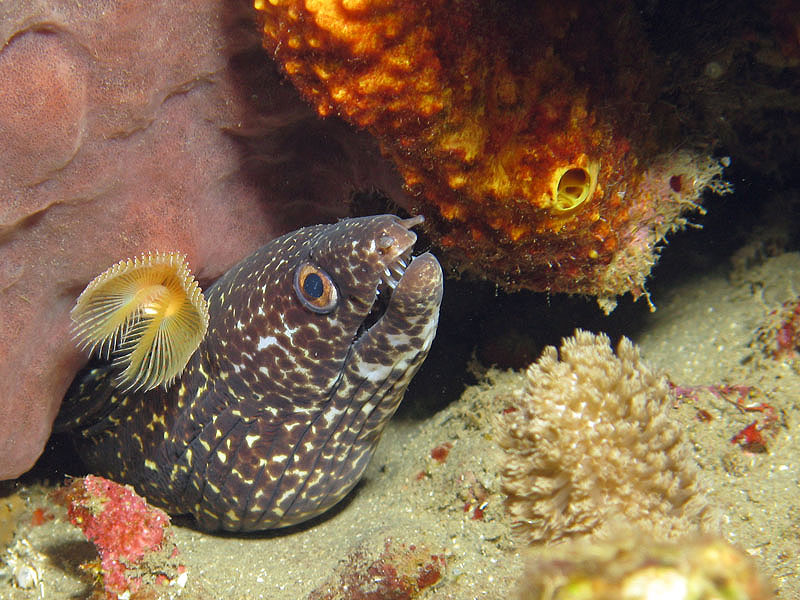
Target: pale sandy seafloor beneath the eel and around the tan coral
705, 332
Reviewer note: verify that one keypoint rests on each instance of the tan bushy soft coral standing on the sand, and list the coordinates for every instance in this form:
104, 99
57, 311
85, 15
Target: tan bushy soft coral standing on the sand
590, 445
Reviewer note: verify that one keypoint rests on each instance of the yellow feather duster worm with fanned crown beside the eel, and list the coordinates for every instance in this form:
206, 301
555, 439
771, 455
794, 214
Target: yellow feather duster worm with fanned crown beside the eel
148, 313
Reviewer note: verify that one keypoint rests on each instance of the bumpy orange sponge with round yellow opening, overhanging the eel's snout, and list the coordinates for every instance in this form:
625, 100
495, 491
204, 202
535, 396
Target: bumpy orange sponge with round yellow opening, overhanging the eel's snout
523, 131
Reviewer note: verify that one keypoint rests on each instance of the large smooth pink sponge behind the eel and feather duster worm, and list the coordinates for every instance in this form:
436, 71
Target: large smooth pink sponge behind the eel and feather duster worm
133, 126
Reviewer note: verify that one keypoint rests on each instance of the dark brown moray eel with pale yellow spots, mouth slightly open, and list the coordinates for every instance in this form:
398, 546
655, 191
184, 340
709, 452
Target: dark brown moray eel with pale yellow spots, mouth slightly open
311, 343
